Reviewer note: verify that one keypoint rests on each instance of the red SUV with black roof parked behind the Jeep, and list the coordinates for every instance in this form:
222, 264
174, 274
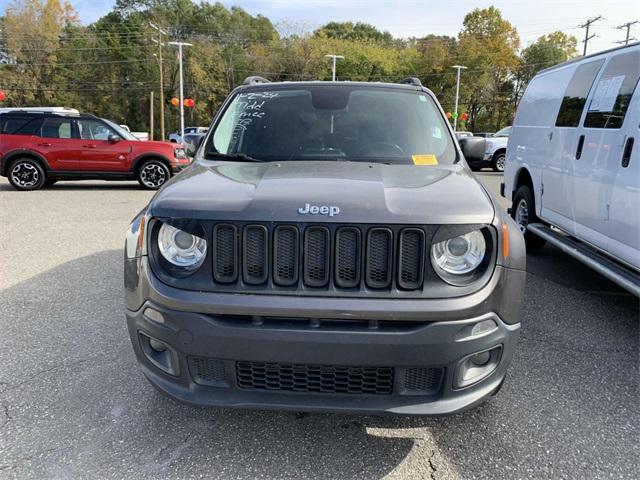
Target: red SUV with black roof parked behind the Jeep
39, 148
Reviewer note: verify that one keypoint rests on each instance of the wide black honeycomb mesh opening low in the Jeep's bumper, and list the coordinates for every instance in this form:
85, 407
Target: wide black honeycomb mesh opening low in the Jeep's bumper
314, 378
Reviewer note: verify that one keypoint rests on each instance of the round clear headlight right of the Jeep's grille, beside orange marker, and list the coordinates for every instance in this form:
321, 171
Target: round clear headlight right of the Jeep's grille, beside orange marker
457, 260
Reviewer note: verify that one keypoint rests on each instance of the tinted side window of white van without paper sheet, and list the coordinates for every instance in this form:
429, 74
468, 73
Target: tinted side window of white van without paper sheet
576, 94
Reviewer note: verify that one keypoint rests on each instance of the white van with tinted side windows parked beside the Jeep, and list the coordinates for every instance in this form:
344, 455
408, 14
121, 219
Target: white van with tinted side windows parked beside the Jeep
572, 171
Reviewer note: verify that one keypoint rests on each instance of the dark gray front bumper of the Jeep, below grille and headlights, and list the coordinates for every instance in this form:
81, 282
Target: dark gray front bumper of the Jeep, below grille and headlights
214, 327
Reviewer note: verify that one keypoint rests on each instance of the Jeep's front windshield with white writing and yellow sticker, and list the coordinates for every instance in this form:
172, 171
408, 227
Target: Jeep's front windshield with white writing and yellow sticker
334, 123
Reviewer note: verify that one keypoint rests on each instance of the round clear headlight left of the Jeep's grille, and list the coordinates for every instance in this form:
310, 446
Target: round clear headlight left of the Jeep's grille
181, 248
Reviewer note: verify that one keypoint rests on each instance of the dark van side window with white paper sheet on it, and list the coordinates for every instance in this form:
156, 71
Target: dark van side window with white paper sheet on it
612, 95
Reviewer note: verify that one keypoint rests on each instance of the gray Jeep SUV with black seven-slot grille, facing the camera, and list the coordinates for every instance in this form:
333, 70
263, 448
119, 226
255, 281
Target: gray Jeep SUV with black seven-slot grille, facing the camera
328, 250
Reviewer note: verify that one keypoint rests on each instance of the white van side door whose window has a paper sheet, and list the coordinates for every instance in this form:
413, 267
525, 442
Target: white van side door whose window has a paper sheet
609, 123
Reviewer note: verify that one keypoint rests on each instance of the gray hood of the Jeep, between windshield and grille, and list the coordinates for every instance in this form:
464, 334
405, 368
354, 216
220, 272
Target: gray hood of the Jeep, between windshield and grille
363, 193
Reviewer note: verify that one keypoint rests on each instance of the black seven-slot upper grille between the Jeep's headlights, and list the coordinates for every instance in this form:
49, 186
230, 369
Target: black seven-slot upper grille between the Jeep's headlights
315, 257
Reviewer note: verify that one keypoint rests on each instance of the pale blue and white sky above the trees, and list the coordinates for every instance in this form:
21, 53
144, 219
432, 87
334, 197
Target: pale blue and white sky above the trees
420, 17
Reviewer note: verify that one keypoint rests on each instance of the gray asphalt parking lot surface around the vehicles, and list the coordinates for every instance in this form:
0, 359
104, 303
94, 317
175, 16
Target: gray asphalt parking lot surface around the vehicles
73, 403
